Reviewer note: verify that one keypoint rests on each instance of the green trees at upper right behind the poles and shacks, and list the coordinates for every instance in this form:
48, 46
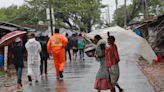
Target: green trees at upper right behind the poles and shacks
135, 10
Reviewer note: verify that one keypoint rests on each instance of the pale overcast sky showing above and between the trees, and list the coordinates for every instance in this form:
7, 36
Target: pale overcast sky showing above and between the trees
111, 3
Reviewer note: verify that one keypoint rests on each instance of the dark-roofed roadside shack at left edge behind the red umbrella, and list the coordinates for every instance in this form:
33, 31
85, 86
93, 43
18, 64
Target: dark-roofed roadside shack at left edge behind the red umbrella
5, 53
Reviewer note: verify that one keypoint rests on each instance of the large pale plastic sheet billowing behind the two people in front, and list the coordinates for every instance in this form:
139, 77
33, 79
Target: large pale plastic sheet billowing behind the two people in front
130, 45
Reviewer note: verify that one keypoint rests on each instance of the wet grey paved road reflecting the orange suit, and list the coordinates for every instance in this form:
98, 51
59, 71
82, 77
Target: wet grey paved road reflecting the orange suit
80, 77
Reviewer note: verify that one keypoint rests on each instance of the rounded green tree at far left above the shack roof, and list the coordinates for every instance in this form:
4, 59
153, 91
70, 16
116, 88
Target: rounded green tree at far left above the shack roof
20, 15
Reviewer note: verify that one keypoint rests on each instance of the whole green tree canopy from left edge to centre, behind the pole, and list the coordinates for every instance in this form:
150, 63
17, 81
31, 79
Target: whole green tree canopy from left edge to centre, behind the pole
77, 14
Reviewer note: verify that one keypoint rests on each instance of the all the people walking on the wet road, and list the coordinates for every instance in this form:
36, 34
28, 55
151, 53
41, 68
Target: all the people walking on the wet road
57, 46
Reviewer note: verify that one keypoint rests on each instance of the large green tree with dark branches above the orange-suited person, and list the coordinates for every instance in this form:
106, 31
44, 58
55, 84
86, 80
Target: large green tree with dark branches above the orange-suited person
78, 14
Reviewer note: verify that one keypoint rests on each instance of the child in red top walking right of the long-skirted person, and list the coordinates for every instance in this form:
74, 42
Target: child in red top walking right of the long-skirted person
112, 60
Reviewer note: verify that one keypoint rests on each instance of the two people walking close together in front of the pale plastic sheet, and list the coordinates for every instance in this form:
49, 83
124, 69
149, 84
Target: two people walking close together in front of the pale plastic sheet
108, 57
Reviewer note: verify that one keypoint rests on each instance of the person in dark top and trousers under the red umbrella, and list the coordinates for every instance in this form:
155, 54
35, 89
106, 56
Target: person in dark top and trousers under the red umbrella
17, 53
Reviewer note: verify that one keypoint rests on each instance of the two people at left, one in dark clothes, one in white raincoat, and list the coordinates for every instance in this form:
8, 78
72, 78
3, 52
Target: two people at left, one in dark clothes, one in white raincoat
34, 66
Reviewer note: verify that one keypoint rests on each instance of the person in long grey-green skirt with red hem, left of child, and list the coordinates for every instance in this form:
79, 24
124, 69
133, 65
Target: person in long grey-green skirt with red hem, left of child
102, 78
